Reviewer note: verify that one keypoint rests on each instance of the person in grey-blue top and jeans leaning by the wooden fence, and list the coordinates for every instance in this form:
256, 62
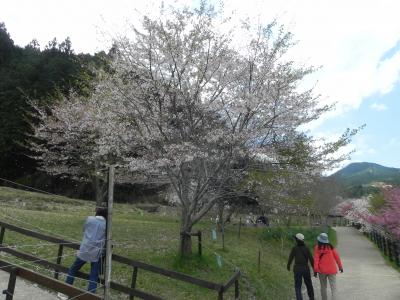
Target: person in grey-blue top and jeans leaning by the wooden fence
91, 249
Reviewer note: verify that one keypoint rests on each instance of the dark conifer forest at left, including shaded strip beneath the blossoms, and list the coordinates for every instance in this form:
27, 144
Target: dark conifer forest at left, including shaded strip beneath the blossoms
45, 75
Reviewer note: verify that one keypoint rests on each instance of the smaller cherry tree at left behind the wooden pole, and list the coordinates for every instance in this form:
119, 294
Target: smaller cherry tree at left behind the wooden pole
67, 143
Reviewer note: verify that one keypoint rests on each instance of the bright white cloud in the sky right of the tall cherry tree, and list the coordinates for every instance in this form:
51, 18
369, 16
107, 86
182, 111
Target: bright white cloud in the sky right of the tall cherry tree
347, 38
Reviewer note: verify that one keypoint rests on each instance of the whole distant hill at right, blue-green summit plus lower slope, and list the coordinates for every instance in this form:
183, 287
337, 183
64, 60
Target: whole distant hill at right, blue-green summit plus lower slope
359, 179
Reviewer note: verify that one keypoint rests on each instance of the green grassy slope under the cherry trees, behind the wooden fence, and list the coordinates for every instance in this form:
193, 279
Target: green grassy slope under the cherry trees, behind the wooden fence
154, 239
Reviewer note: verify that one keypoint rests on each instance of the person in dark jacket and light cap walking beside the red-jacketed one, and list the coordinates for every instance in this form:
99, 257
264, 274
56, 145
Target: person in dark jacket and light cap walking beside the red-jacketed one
302, 256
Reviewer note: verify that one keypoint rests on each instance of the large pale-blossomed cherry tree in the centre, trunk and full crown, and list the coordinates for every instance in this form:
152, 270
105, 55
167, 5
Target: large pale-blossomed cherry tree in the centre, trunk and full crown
188, 104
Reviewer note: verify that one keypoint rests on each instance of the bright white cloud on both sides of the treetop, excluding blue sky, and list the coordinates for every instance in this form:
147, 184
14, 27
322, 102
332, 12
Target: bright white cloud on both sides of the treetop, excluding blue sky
347, 38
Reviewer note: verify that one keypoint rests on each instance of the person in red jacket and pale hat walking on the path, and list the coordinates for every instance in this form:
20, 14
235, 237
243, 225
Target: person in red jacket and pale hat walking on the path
326, 264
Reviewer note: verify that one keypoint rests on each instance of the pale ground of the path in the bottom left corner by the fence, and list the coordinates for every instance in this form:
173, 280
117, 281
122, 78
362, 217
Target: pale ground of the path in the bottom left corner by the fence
24, 290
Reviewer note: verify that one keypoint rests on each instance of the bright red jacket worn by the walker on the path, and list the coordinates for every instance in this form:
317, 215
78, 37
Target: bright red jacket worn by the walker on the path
325, 260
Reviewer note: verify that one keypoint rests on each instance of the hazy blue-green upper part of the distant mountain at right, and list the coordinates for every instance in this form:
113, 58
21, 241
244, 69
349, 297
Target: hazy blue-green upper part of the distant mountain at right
365, 173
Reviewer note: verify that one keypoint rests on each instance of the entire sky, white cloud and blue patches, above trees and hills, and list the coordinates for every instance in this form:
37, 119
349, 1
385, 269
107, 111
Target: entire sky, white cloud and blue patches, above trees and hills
355, 43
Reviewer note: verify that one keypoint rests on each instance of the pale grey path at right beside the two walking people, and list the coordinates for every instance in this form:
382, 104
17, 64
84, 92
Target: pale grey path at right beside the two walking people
366, 275
